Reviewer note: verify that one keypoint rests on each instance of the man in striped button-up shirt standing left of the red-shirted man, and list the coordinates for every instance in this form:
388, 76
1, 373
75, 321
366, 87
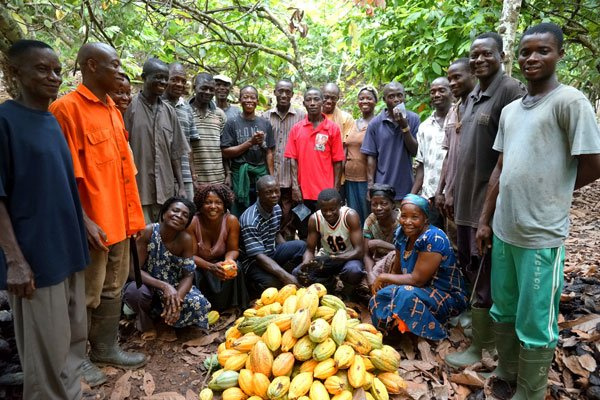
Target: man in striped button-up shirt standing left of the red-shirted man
282, 117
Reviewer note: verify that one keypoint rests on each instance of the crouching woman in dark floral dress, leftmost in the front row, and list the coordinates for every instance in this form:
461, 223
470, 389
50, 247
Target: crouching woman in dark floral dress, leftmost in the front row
165, 254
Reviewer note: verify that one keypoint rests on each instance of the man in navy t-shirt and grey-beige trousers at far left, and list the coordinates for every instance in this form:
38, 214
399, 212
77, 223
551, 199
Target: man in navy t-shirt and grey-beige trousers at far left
43, 245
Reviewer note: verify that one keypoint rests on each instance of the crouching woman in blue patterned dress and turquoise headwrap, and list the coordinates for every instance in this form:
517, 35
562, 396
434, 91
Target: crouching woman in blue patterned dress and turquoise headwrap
426, 286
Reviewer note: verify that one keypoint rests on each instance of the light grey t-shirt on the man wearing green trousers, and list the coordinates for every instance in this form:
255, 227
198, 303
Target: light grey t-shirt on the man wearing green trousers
540, 142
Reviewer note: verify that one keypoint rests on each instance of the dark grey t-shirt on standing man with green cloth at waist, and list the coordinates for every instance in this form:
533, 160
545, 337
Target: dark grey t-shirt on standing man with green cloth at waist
238, 130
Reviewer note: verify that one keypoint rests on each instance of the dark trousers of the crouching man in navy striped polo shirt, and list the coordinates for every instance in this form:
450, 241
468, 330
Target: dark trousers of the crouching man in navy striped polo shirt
288, 255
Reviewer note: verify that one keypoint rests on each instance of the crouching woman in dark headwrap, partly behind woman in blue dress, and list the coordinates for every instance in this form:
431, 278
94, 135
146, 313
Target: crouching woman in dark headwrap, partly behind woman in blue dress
378, 231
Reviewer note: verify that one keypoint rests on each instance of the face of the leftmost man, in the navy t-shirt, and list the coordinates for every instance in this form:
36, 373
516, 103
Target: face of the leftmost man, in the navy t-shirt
39, 74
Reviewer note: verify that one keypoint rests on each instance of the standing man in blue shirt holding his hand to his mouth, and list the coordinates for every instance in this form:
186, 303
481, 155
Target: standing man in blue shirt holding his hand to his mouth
390, 143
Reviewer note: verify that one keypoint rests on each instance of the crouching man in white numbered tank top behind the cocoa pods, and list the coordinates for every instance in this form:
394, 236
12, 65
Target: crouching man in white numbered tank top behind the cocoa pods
341, 250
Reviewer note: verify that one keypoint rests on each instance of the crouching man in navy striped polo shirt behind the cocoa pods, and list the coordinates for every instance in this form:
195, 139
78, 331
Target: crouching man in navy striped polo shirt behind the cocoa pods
266, 259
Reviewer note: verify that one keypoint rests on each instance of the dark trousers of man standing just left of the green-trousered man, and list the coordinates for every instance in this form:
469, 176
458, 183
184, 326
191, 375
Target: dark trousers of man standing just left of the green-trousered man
469, 261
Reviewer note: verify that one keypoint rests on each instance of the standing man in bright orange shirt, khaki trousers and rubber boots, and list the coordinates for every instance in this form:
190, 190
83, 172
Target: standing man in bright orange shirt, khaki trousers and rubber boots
105, 175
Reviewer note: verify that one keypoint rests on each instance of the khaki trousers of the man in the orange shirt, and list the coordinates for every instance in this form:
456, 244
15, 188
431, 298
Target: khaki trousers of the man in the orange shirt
107, 273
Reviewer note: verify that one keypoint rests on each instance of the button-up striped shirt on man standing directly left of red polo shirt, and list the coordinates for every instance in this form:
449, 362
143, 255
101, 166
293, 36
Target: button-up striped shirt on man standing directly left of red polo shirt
282, 124
